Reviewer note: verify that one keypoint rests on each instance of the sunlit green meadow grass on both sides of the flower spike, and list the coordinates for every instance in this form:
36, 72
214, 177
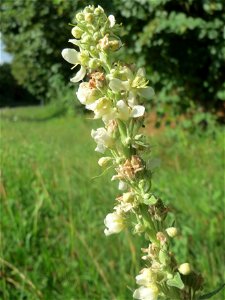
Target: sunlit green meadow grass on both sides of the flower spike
52, 211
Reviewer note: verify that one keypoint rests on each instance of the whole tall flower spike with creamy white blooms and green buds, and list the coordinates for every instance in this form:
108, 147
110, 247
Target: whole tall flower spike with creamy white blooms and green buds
114, 92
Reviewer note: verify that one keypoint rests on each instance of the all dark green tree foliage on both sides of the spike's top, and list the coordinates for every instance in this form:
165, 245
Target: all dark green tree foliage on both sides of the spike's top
181, 44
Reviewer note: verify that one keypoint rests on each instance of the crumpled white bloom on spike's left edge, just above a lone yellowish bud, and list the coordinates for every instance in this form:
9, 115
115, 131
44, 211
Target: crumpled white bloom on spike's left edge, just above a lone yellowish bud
102, 138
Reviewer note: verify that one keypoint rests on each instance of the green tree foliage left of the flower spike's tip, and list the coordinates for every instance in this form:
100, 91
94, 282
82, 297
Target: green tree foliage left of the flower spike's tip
35, 32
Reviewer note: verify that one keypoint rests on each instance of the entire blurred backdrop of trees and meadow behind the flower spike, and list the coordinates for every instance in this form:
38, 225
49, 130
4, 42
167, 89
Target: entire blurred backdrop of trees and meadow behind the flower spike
52, 241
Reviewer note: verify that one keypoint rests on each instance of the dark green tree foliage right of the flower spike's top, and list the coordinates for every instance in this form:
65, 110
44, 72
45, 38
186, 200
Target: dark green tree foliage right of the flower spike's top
182, 45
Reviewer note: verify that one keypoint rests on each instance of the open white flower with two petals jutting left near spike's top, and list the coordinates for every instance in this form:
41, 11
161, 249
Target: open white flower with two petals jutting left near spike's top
73, 57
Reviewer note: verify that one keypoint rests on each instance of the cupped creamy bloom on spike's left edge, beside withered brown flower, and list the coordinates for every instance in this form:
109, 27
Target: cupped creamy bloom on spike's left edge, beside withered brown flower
86, 95
